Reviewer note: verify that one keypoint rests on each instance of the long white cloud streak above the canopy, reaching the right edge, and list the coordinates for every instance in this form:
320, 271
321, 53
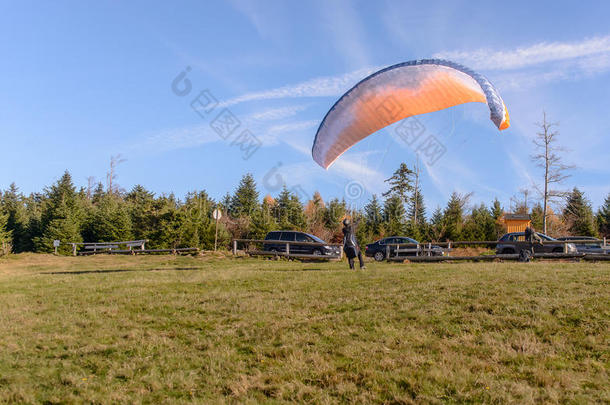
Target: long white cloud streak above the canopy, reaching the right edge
532, 55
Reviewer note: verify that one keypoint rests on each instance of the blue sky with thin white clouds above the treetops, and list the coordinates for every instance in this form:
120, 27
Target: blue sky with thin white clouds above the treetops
81, 82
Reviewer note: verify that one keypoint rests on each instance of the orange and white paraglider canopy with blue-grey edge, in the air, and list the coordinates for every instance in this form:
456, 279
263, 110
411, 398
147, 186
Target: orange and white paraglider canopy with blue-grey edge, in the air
398, 92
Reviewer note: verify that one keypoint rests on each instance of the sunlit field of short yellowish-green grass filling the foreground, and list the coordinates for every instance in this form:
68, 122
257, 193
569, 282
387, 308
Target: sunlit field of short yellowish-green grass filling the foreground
184, 329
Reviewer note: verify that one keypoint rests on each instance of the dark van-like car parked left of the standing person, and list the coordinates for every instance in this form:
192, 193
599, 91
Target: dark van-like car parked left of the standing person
295, 236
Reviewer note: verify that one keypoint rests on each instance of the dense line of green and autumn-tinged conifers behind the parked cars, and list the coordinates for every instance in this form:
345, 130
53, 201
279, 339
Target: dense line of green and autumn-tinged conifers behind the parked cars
62, 212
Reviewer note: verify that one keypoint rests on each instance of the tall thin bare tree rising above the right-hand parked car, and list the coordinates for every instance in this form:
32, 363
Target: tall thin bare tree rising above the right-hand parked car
547, 158
